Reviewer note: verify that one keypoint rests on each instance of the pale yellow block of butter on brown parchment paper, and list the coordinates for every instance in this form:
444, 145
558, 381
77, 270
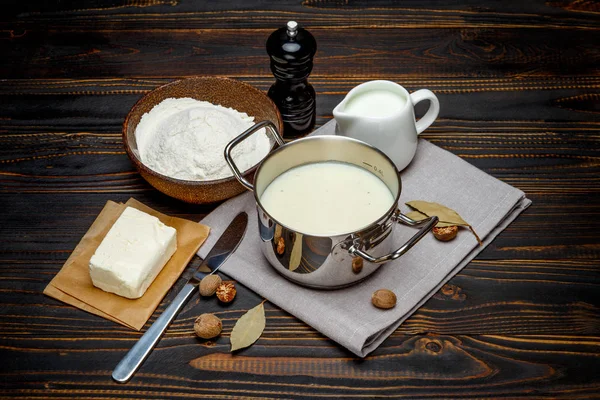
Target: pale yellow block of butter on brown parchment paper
132, 254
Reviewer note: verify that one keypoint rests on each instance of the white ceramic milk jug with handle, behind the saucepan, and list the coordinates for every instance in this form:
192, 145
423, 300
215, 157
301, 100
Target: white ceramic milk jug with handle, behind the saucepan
382, 114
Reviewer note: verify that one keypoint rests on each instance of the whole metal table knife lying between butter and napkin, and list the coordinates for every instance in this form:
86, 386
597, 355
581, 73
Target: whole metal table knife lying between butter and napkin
223, 248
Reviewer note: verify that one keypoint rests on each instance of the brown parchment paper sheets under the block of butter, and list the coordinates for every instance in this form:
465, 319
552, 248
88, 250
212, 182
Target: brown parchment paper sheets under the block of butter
73, 284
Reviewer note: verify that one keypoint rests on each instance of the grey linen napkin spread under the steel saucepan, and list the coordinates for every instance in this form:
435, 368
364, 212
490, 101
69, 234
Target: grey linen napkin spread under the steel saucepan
347, 315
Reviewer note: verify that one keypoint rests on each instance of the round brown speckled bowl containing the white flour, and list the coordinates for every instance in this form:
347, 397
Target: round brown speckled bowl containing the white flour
217, 90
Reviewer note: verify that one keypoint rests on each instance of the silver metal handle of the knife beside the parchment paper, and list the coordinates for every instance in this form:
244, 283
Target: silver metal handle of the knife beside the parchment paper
138, 353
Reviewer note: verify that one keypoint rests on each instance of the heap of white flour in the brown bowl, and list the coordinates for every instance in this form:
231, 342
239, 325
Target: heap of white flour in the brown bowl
185, 138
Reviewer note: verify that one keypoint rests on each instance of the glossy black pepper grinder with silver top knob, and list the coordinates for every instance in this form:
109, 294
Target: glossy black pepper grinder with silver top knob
291, 50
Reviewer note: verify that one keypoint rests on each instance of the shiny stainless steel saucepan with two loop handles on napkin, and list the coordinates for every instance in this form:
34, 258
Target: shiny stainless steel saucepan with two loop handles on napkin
326, 261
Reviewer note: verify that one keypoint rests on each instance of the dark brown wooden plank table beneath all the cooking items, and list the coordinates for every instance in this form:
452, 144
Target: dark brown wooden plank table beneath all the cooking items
519, 87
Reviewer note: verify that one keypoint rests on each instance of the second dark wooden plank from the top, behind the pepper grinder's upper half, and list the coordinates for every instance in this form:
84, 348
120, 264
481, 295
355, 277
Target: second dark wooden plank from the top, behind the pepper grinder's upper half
435, 52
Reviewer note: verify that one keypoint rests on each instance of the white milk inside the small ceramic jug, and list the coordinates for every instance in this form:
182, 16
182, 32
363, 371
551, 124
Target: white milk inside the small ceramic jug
375, 103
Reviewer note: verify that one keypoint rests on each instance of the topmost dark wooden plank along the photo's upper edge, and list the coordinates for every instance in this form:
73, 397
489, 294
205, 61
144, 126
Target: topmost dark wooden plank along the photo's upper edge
327, 14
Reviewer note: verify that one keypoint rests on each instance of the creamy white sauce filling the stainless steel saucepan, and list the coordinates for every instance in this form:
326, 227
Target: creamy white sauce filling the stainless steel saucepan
327, 198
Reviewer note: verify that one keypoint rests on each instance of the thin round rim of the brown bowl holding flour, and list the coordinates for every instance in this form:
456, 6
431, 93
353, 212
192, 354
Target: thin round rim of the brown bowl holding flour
143, 167
